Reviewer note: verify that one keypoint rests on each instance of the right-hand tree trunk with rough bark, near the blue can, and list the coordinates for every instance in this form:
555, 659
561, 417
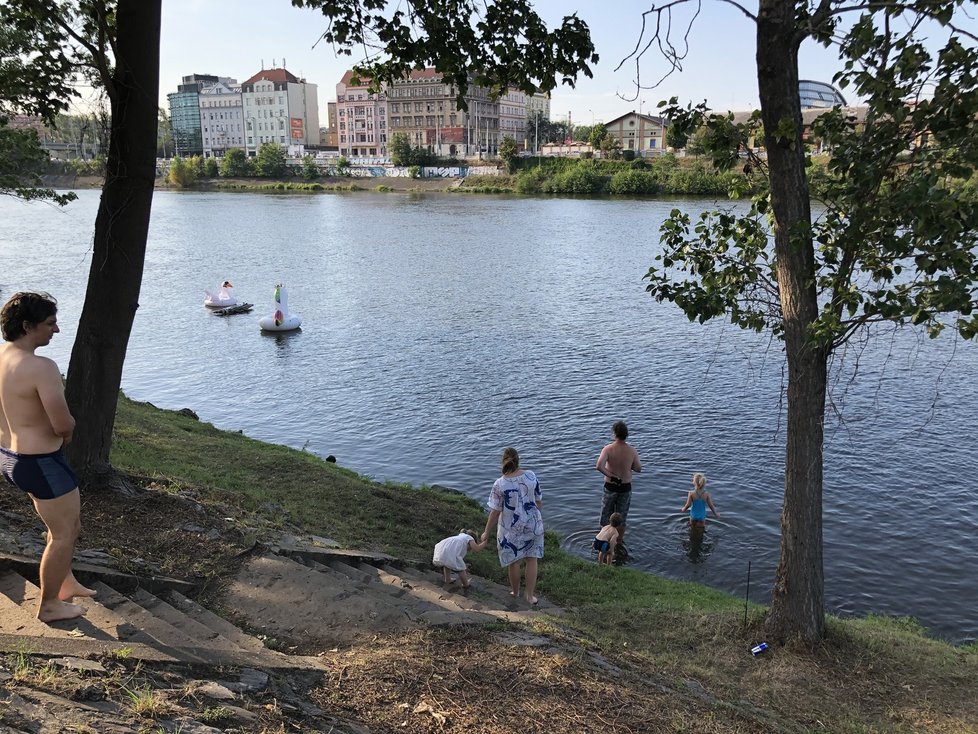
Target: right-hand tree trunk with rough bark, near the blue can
797, 606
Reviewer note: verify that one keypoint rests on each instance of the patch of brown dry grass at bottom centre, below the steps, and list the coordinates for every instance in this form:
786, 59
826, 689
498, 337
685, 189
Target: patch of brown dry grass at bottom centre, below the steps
468, 680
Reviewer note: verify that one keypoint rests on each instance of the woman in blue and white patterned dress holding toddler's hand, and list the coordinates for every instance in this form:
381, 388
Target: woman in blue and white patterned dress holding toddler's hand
514, 508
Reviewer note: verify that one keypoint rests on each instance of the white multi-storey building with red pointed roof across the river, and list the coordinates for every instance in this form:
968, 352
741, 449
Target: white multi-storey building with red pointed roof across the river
278, 107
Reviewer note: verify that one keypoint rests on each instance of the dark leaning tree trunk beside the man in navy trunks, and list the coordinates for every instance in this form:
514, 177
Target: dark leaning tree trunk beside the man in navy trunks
121, 227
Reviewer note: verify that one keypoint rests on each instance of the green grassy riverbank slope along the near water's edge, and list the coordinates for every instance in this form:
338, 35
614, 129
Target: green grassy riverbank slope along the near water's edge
870, 675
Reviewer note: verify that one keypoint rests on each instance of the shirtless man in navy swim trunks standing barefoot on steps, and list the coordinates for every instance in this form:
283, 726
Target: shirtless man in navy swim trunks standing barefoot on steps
35, 425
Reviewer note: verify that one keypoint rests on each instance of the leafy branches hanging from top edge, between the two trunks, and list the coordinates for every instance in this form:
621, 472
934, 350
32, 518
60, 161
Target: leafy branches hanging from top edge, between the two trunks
498, 44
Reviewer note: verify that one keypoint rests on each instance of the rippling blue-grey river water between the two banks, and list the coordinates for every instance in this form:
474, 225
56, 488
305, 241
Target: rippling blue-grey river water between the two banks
438, 329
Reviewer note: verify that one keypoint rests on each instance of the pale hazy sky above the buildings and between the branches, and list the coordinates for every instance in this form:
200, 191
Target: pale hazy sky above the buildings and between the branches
236, 37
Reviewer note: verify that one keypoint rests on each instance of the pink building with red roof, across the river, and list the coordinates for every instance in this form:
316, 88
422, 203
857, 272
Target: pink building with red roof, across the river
361, 119
